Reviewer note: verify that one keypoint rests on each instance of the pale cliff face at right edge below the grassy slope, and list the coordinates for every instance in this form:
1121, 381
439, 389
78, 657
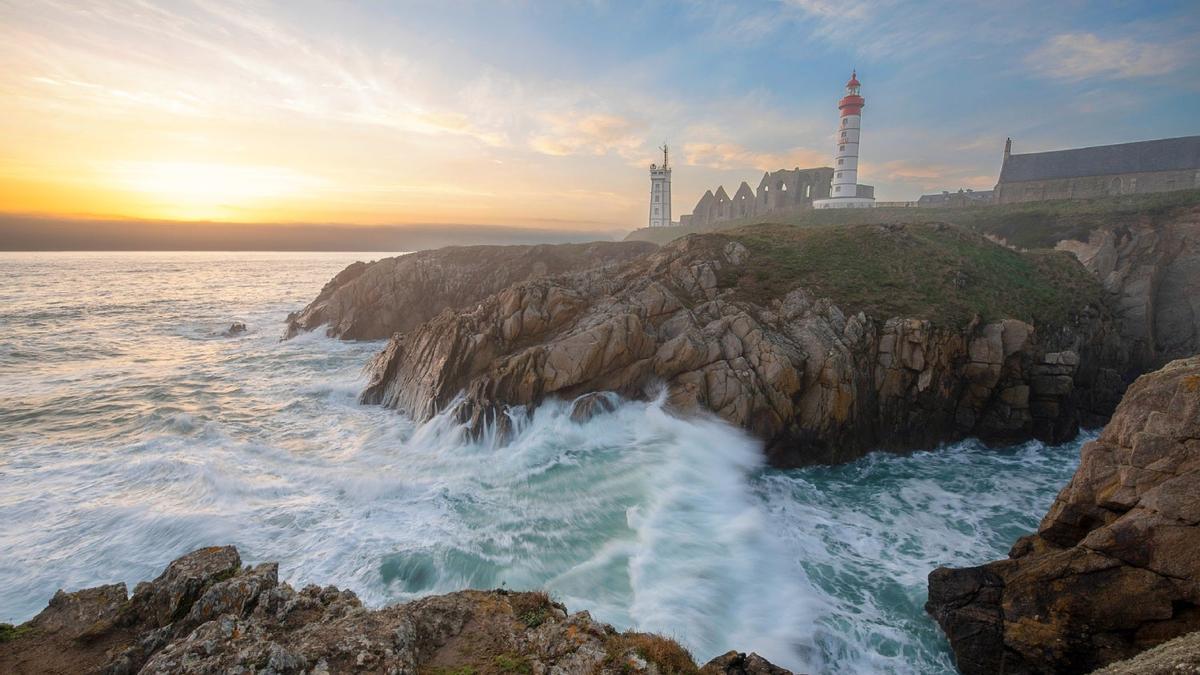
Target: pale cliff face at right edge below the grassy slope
1151, 267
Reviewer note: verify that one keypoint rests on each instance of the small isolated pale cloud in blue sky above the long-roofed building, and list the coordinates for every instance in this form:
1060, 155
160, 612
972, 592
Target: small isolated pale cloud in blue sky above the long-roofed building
1083, 56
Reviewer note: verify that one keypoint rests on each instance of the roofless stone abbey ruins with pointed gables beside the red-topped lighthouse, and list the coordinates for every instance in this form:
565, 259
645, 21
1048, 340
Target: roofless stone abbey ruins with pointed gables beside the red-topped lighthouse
778, 192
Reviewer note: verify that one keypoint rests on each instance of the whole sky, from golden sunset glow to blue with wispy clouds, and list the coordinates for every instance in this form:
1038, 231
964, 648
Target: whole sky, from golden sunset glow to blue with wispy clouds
547, 115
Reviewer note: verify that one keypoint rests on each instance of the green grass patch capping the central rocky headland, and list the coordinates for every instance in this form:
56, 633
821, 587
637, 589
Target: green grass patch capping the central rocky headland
939, 272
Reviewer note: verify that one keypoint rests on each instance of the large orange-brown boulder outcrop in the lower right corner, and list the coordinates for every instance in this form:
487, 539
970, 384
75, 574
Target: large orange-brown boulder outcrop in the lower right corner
1115, 565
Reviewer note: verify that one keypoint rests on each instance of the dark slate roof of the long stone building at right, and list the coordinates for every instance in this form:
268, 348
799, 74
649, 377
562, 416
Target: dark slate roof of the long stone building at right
1167, 154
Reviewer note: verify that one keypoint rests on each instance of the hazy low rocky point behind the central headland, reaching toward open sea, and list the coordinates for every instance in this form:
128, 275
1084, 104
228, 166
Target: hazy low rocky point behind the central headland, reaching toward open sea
374, 301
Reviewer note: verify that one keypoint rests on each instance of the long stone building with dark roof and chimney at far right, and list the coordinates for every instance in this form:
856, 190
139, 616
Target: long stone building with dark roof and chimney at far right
1101, 171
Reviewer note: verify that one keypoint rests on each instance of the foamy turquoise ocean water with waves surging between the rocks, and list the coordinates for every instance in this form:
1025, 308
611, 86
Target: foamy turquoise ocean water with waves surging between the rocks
133, 432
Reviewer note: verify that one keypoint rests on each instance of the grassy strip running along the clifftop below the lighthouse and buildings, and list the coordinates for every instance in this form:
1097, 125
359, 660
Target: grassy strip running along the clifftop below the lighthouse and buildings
1034, 225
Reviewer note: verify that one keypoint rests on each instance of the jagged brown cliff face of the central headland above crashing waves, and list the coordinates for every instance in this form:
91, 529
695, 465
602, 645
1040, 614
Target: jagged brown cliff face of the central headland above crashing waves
818, 385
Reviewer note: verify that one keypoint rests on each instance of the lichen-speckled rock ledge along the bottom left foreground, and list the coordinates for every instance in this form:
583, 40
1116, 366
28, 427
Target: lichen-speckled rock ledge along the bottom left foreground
209, 614
